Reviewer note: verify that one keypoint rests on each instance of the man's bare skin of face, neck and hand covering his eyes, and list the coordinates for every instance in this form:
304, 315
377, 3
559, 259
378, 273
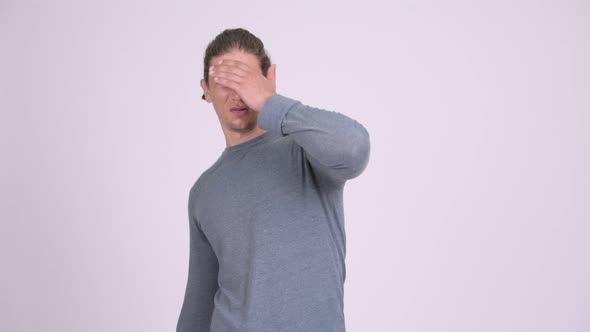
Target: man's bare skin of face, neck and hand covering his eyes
238, 82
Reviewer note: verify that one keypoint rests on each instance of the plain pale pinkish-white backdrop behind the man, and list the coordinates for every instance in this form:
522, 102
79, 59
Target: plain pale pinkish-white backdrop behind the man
472, 215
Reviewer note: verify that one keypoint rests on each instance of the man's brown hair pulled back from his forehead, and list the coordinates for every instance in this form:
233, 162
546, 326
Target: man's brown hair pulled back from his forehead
231, 39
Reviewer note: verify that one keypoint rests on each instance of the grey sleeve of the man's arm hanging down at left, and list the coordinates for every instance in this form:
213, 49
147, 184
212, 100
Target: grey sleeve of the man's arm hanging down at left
197, 308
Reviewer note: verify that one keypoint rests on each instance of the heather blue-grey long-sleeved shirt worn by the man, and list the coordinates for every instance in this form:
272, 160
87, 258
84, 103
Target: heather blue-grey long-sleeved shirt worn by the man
266, 220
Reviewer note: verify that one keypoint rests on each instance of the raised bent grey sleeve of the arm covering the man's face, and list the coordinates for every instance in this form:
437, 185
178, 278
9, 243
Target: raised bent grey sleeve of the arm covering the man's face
336, 146
